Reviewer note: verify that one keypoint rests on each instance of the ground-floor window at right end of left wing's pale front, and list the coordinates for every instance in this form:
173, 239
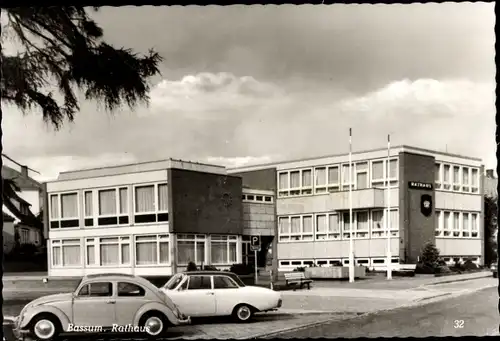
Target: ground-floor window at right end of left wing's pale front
152, 249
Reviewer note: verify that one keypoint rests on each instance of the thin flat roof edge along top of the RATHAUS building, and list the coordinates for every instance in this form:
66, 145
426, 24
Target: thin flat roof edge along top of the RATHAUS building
397, 148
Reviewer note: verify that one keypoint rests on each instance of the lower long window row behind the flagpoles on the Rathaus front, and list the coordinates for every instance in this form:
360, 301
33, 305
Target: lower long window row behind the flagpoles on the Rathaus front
335, 226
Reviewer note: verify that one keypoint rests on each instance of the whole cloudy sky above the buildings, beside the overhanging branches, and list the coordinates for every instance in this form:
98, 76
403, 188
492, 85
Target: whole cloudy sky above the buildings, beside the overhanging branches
259, 83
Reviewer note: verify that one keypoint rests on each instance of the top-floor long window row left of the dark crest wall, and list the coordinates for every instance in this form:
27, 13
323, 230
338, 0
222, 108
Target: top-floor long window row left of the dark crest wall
335, 178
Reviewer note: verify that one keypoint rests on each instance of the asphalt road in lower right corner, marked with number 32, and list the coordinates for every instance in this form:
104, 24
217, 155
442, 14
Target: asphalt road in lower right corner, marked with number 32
474, 314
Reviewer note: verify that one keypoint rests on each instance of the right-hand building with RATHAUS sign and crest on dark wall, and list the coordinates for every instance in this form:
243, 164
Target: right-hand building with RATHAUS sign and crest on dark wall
434, 196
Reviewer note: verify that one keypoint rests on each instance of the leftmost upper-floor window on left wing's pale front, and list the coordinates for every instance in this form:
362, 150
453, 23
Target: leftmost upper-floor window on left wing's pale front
64, 210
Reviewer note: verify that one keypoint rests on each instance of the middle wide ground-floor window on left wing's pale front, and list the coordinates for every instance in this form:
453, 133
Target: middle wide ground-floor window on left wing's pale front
114, 251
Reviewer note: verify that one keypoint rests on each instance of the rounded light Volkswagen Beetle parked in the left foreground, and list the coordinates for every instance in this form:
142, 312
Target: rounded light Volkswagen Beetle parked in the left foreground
116, 302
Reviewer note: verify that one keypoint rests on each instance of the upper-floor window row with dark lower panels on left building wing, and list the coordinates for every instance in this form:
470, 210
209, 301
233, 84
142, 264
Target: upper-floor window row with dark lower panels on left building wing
110, 206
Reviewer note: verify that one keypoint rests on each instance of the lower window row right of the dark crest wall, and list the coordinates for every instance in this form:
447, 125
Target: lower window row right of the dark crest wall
457, 224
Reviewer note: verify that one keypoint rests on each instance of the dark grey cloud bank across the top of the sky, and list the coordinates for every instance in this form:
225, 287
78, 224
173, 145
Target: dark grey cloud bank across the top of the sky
361, 46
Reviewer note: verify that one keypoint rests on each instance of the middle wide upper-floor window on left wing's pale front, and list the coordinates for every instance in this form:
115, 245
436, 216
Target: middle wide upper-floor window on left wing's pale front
112, 206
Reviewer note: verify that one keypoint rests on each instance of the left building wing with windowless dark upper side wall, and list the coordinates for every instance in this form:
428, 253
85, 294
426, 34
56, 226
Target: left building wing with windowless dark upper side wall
152, 219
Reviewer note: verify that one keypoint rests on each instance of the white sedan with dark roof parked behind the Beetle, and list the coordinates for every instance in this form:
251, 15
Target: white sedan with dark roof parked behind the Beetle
219, 293
